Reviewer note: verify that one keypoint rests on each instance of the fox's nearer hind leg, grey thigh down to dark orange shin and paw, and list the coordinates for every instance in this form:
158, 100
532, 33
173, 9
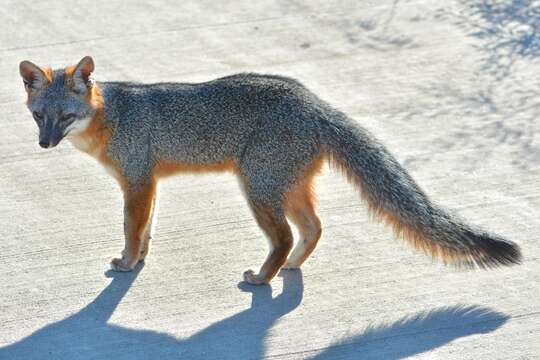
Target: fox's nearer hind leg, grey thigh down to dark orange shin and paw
274, 158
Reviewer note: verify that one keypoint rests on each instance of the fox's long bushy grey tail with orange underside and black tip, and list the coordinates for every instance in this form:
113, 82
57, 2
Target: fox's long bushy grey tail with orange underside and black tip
394, 197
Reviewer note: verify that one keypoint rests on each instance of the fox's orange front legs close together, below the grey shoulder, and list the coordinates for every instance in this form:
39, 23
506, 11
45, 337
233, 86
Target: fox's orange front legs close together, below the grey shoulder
138, 206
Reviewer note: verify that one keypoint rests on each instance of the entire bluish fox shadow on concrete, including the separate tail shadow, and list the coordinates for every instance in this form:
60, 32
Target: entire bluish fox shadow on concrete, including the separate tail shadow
88, 335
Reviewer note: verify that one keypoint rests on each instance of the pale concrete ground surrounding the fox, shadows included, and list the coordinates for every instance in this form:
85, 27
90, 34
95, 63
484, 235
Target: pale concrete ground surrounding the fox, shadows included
451, 87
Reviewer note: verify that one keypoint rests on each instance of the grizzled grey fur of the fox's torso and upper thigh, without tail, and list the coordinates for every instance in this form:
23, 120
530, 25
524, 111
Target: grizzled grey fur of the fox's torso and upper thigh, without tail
258, 121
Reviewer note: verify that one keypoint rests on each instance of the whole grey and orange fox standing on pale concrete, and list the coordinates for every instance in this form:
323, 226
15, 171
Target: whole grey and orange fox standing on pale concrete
270, 131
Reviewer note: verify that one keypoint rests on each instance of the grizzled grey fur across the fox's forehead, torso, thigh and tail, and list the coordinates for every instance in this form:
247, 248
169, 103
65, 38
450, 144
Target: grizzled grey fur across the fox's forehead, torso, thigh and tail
273, 128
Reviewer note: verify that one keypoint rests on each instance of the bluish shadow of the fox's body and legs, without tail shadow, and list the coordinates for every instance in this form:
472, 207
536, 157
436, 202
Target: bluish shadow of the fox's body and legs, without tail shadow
88, 335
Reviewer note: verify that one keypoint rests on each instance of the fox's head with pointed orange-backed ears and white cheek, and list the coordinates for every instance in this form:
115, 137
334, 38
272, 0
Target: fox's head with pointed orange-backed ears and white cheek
61, 101
